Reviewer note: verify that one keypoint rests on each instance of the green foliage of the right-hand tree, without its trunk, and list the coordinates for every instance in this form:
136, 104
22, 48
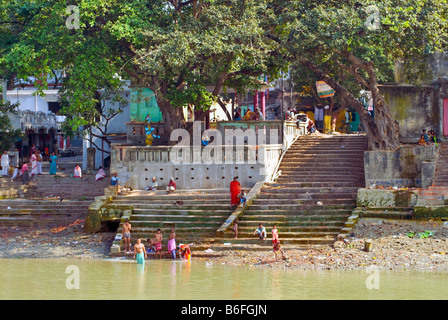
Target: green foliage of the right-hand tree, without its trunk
325, 32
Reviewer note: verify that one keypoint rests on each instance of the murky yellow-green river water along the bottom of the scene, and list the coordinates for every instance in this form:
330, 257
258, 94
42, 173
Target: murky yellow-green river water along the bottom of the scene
200, 280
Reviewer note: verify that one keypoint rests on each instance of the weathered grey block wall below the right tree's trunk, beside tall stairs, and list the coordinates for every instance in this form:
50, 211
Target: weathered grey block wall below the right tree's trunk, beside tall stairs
408, 166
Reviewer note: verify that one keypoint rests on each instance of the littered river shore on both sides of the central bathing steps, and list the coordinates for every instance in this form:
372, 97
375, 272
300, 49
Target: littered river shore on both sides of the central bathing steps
393, 248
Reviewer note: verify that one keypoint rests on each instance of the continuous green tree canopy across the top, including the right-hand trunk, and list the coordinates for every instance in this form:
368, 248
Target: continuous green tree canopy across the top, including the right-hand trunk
179, 48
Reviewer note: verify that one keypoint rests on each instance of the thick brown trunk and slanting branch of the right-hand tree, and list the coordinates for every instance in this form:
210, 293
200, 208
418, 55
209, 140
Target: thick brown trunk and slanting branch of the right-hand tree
382, 131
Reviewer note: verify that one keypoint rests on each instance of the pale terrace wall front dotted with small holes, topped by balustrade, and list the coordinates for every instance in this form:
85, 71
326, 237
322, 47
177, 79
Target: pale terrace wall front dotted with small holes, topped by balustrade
199, 168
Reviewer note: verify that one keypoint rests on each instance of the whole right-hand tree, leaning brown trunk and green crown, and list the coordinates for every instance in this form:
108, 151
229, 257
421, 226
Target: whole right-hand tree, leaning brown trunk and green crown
352, 46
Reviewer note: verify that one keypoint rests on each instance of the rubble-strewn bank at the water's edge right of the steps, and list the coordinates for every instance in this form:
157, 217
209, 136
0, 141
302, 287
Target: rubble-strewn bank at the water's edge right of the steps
396, 245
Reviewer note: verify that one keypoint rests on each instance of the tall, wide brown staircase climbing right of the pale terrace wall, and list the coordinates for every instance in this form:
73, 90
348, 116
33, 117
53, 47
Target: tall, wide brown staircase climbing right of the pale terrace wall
314, 195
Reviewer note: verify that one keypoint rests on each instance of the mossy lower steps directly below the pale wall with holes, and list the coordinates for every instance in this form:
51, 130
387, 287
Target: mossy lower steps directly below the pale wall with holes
194, 214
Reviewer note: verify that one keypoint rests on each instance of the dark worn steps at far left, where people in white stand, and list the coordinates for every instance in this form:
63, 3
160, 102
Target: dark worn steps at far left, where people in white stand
39, 203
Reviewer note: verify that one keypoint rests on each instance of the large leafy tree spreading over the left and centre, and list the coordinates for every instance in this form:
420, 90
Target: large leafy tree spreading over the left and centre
176, 48
